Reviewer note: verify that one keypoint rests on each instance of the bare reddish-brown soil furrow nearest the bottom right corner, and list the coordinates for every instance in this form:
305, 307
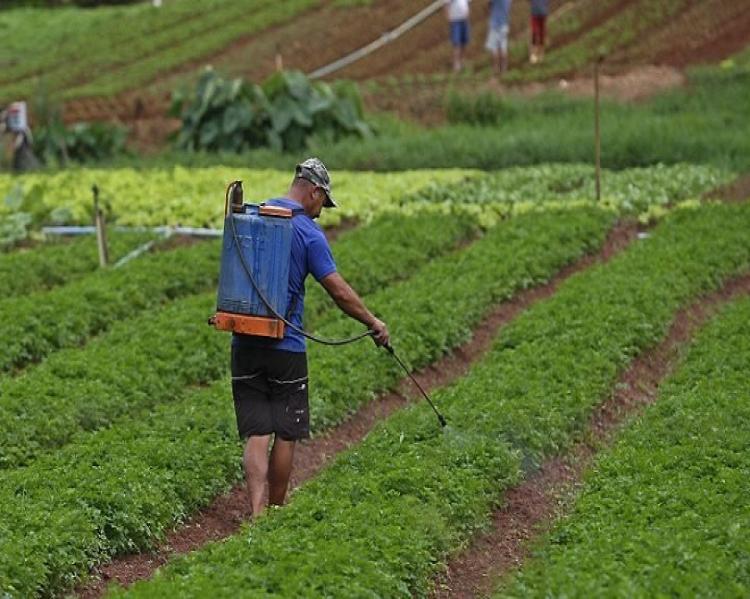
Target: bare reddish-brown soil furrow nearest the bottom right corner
530, 508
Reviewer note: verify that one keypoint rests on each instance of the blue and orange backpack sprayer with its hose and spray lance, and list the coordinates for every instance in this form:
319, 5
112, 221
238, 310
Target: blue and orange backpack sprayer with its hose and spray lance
254, 278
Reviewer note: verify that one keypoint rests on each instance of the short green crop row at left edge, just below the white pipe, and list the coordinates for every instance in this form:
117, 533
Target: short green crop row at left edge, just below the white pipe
50, 264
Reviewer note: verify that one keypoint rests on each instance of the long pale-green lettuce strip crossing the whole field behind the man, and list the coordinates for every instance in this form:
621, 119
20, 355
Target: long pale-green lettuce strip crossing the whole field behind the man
193, 197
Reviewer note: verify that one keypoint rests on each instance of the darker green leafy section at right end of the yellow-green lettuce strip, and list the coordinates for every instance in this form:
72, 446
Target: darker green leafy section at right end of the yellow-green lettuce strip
637, 191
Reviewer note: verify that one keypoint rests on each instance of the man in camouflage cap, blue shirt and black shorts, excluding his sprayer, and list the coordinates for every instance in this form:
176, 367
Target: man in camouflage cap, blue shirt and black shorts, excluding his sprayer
269, 376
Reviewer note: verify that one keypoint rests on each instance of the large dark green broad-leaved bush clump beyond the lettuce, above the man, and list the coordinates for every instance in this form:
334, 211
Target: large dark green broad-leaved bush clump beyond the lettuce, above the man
282, 113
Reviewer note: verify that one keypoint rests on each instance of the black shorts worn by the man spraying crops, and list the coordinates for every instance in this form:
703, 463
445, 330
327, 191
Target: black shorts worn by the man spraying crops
270, 393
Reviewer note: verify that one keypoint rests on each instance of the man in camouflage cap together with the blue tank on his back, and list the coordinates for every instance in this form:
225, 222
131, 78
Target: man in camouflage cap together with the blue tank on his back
268, 252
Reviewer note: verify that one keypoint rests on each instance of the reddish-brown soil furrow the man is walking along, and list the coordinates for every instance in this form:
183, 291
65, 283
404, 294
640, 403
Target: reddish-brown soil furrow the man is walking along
225, 515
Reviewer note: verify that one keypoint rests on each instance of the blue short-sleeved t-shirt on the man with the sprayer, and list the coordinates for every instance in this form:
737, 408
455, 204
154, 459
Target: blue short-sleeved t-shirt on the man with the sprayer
310, 254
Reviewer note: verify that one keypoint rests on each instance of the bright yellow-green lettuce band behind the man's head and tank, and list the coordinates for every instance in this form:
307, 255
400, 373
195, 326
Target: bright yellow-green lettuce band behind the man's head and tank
195, 197
